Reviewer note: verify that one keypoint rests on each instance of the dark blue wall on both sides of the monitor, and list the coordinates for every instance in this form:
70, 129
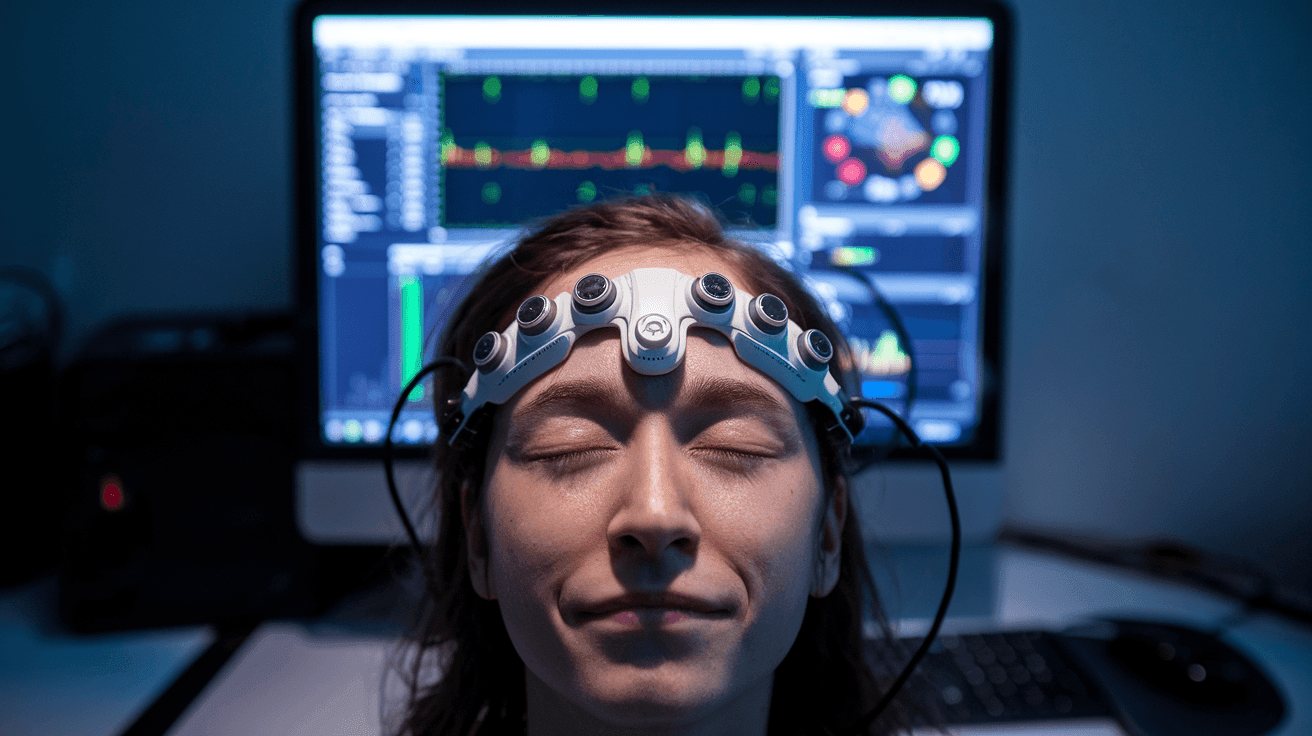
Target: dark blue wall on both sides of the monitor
1159, 272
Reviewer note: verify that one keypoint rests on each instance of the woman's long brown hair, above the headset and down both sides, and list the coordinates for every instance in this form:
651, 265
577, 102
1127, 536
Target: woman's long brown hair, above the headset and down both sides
823, 685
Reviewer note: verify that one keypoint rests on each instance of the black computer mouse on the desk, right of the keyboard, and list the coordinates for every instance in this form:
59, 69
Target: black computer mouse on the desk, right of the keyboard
1167, 680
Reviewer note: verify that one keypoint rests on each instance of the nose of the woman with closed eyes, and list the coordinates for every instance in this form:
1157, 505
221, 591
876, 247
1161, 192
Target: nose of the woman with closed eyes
654, 514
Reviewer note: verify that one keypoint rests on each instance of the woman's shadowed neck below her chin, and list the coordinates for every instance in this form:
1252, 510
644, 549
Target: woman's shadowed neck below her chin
552, 714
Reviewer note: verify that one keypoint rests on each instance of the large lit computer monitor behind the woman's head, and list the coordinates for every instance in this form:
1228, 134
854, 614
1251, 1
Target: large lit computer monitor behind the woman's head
864, 152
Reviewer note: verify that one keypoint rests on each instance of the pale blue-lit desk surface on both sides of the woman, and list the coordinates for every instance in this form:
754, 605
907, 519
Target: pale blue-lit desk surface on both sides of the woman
295, 679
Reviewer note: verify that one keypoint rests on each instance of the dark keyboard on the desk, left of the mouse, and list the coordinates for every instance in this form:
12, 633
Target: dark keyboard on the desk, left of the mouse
1004, 678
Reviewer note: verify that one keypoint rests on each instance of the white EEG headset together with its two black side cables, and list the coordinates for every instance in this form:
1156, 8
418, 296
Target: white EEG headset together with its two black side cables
654, 310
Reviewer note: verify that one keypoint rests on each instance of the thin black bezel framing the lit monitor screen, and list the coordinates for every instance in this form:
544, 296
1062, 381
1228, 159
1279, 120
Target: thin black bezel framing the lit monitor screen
986, 445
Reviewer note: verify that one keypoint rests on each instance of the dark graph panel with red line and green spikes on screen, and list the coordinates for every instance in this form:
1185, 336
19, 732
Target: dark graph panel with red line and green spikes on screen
516, 148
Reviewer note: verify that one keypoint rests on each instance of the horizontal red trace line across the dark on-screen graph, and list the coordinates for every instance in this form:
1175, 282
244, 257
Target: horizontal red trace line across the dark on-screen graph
457, 158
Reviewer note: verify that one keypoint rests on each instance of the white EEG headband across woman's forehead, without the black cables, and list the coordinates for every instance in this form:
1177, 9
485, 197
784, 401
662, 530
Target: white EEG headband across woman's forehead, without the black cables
654, 310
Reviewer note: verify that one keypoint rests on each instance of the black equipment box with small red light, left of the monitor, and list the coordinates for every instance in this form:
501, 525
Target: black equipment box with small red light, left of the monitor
179, 476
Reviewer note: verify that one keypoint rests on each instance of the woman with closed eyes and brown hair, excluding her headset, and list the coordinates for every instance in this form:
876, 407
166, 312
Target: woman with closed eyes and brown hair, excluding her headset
646, 554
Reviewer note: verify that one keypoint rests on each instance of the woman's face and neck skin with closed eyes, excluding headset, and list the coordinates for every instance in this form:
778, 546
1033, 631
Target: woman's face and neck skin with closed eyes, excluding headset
653, 541
